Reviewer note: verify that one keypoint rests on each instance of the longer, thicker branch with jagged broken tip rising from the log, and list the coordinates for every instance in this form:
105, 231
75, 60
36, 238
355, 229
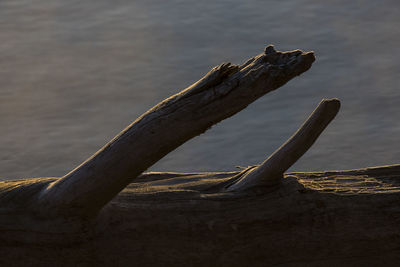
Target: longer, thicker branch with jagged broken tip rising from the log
224, 91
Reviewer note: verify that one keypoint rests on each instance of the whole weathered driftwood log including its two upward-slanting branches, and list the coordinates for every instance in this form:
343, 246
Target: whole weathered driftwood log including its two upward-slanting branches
108, 212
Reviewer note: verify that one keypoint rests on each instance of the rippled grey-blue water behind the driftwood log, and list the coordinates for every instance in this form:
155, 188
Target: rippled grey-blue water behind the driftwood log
75, 73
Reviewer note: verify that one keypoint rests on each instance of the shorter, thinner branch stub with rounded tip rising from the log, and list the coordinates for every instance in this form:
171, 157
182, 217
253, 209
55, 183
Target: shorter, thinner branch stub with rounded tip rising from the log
271, 170
